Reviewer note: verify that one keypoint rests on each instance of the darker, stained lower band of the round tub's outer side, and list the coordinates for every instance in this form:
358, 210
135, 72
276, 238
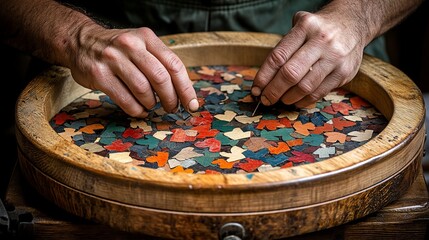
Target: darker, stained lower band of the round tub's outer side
198, 225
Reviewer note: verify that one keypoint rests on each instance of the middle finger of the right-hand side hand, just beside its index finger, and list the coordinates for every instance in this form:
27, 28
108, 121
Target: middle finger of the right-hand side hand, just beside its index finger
291, 73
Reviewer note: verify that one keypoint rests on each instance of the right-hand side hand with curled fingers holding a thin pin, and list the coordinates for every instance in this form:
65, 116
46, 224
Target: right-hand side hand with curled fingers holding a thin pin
322, 51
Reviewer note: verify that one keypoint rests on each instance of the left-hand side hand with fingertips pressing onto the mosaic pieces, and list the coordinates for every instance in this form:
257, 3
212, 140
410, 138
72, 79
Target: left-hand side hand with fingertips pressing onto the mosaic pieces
130, 66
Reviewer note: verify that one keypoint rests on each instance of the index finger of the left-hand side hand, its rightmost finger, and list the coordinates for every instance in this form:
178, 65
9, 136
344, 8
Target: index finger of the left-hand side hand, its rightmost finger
177, 71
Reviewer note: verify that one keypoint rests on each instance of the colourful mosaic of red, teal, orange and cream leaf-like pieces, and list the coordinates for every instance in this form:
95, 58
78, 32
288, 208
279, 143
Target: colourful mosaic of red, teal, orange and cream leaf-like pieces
223, 136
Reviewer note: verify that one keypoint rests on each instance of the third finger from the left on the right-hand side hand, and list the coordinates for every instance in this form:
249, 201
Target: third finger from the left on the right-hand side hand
309, 83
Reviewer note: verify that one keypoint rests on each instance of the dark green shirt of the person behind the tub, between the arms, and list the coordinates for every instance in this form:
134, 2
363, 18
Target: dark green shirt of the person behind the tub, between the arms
178, 16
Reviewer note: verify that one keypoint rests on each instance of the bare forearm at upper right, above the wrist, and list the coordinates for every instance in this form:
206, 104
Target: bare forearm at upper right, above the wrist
372, 18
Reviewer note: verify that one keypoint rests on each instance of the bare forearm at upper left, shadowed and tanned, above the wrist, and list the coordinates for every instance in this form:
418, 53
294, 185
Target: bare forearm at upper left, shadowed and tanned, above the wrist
43, 28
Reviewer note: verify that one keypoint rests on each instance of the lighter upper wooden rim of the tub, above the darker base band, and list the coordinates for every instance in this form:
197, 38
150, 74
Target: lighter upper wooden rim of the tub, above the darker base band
388, 89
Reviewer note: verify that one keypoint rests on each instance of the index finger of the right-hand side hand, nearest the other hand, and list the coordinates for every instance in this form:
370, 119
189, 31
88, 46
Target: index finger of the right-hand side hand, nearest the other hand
281, 53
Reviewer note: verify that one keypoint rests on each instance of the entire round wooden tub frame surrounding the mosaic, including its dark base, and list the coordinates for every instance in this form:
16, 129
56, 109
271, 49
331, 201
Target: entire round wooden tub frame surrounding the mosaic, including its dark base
273, 204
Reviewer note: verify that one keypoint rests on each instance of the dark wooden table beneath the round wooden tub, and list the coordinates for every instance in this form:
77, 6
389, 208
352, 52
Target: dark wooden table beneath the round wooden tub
406, 218
